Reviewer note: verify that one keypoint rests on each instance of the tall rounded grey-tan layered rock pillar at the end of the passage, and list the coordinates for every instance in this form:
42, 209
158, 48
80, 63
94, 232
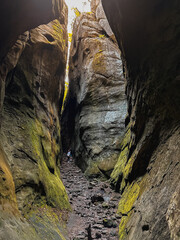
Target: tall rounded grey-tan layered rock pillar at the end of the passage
96, 97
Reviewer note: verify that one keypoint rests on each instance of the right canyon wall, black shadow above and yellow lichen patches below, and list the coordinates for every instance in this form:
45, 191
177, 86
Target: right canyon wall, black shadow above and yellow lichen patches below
148, 171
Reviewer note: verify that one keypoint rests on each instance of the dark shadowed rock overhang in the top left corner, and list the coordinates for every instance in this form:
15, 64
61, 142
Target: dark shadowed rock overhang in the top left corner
19, 16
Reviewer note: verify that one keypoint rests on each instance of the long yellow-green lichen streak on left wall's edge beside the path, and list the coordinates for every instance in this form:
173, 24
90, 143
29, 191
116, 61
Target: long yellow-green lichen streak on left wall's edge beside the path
48, 171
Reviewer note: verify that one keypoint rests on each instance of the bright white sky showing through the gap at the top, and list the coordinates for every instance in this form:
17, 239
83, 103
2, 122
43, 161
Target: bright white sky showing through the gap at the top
81, 5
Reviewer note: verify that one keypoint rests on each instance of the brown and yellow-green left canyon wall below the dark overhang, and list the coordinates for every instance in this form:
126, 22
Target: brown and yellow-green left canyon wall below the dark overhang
33, 75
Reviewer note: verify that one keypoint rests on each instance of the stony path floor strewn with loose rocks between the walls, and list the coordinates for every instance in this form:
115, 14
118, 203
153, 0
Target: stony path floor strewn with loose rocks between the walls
94, 205
